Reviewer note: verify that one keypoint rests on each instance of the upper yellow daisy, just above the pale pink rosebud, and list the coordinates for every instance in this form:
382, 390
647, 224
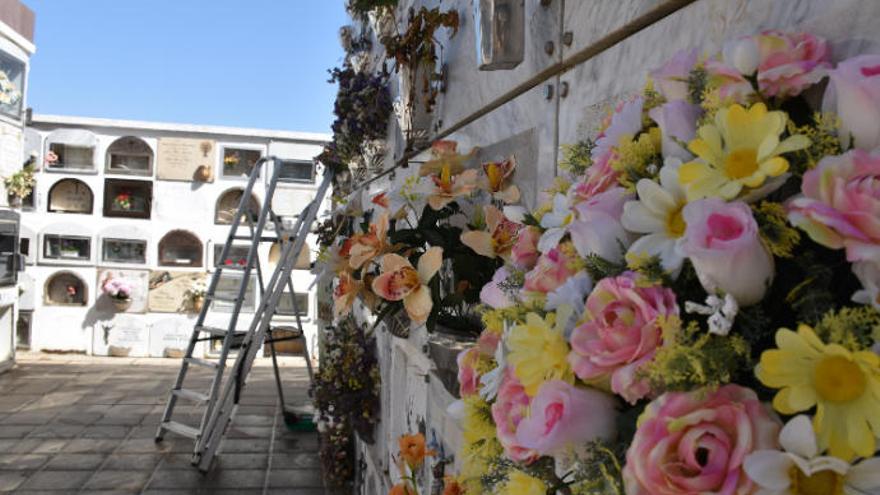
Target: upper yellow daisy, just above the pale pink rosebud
739, 152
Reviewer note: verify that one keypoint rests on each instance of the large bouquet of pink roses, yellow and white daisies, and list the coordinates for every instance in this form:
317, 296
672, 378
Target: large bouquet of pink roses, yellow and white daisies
695, 309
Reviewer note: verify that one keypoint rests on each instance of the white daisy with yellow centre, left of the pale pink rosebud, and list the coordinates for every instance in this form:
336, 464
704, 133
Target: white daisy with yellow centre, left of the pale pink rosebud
657, 215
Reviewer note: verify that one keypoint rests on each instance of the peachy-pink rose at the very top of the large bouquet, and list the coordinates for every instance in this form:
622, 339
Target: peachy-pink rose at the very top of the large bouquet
787, 64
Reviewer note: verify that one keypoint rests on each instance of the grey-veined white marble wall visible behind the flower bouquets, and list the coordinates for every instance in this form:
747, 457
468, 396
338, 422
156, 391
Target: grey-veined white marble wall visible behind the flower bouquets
534, 125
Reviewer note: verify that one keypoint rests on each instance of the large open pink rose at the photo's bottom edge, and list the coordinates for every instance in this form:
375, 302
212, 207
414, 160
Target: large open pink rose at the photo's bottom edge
696, 442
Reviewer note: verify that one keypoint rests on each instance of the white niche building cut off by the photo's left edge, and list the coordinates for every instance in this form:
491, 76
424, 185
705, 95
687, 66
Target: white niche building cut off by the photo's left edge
16, 48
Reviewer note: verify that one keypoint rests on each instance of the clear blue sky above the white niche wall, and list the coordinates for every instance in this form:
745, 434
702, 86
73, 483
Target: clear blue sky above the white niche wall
248, 63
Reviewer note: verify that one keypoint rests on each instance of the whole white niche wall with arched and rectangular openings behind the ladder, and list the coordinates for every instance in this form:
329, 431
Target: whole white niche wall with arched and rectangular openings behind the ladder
148, 203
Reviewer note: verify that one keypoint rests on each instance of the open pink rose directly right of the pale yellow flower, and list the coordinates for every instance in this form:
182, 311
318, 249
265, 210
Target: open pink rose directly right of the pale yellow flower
621, 333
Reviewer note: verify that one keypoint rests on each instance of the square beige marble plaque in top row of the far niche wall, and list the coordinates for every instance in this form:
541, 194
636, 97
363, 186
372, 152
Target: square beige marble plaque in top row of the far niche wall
180, 158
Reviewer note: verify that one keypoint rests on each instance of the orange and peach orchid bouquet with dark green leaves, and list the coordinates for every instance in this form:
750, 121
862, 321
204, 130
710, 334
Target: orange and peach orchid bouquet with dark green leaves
431, 245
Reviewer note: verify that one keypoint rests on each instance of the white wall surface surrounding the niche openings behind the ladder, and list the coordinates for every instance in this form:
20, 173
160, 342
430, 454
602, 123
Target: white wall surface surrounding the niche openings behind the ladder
184, 205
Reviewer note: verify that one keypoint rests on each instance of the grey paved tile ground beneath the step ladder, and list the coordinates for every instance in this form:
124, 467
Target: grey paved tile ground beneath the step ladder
74, 424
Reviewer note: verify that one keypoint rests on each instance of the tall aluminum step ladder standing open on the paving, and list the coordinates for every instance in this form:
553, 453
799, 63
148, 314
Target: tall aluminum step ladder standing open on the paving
220, 401
